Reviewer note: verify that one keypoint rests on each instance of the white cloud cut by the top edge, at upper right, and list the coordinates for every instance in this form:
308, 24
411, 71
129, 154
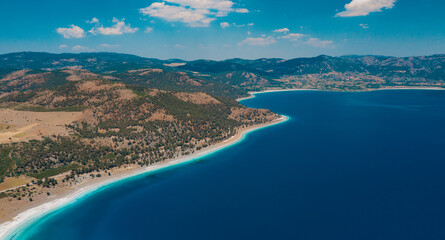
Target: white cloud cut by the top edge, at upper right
364, 7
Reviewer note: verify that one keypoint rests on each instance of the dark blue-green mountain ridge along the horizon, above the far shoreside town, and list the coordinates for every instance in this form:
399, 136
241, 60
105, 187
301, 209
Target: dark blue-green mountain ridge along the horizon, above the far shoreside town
103, 61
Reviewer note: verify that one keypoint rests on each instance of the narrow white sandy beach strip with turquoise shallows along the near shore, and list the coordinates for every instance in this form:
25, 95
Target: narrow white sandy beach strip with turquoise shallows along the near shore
28, 216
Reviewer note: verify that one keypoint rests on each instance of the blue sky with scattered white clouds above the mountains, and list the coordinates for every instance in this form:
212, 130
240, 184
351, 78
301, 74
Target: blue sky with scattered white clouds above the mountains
221, 29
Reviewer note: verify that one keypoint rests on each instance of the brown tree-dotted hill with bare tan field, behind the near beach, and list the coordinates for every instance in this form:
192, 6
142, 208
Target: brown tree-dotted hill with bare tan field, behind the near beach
93, 125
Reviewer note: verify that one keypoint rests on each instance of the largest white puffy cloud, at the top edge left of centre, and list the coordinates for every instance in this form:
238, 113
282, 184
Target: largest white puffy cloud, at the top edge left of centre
195, 13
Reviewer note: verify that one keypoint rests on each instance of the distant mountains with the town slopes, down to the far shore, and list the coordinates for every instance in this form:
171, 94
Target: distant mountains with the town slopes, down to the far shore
237, 76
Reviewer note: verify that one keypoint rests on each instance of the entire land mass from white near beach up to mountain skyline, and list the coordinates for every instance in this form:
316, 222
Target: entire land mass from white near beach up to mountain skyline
70, 123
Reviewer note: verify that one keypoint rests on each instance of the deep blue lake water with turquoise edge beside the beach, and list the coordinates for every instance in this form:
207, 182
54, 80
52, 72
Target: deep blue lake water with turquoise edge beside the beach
367, 165
